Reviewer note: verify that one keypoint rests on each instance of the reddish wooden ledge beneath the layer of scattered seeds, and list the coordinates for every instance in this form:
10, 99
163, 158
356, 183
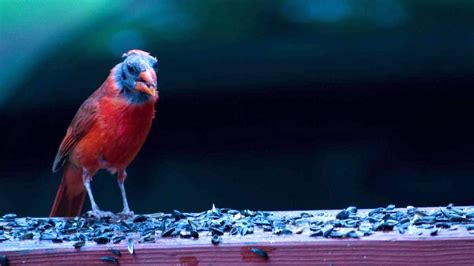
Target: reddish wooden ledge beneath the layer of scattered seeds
447, 247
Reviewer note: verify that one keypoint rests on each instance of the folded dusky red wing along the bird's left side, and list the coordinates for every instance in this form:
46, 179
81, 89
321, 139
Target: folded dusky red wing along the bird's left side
80, 125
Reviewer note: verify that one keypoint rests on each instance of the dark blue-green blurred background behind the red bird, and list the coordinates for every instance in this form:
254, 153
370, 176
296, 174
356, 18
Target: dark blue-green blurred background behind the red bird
273, 105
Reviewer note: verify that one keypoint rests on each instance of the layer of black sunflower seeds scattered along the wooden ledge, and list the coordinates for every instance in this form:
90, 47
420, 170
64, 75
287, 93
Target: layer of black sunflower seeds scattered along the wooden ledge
348, 223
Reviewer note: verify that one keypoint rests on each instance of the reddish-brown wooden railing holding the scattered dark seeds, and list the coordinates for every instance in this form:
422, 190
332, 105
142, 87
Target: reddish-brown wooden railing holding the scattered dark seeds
422, 243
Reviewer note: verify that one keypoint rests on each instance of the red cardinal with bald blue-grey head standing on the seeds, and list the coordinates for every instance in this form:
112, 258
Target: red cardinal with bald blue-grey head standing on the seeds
107, 132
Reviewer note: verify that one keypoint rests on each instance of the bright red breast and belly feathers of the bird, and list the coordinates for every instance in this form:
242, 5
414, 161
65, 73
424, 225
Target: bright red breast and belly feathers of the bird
116, 137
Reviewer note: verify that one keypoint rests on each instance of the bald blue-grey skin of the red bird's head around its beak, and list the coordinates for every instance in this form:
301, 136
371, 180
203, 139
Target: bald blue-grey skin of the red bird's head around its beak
130, 72
